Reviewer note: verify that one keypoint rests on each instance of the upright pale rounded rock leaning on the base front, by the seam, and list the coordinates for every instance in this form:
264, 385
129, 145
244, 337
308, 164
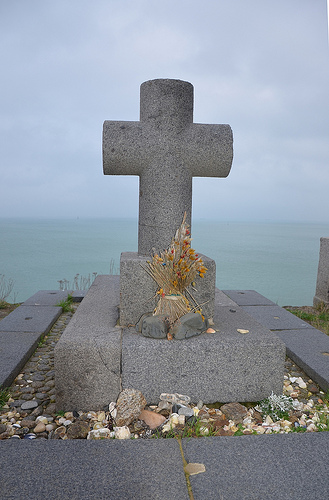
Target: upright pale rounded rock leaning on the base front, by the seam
129, 405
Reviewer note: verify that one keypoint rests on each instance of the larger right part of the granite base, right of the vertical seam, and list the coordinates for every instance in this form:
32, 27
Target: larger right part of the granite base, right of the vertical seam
226, 366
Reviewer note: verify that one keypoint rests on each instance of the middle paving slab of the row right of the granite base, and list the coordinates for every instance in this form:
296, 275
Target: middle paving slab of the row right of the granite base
275, 318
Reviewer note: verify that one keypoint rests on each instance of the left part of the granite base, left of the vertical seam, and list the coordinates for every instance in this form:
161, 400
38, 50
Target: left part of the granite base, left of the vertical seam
87, 356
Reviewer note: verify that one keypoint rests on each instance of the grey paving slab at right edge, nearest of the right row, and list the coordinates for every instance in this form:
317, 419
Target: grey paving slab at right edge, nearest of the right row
309, 349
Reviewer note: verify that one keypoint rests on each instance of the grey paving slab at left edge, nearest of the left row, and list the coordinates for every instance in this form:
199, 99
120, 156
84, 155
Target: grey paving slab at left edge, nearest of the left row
15, 350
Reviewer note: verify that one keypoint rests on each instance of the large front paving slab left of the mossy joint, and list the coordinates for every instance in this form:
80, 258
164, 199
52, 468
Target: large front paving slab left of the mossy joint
83, 470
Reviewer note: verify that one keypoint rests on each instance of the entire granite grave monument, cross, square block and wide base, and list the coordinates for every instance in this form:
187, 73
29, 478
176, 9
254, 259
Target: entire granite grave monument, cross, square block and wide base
101, 352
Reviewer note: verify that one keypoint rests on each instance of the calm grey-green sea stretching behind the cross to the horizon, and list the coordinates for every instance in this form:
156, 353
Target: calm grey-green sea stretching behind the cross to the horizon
279, 260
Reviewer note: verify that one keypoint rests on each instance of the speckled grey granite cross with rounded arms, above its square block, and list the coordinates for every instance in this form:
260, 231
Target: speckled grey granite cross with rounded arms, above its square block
166, 149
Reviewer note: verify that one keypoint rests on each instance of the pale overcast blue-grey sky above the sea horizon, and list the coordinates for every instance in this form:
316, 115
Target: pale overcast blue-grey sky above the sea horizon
261, 66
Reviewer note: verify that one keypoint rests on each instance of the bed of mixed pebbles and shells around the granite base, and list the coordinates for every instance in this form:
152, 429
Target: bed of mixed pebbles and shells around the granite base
35, 418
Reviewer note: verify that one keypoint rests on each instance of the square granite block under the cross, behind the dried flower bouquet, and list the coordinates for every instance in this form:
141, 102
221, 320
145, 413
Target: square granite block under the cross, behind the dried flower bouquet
137, 288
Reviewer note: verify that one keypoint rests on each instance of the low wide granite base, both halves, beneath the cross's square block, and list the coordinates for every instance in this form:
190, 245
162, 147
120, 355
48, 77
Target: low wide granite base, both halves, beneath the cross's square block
95, 359
